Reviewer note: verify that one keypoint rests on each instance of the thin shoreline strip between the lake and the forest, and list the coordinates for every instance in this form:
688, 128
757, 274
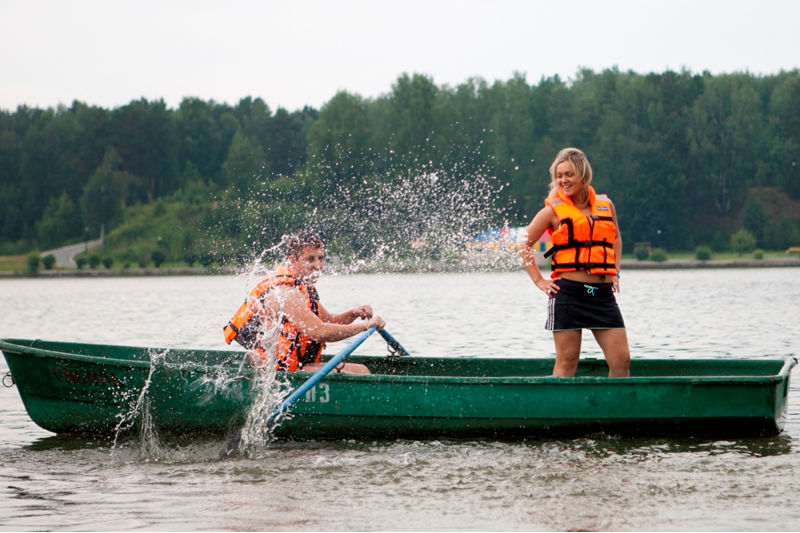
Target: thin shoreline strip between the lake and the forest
670, 264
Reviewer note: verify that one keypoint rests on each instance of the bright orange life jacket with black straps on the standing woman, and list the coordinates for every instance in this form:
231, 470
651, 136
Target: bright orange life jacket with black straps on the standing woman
583, 242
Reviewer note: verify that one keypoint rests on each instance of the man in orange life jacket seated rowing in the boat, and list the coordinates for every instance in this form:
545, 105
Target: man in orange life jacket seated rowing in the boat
283, 314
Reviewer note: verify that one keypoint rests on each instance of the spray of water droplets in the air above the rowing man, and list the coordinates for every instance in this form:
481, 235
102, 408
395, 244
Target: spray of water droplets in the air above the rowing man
411, 216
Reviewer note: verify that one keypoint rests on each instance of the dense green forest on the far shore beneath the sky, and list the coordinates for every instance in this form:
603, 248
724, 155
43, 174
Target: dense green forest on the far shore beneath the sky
688, 159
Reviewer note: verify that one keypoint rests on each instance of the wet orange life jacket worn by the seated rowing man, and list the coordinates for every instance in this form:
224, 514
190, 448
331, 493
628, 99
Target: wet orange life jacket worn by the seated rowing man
293, 349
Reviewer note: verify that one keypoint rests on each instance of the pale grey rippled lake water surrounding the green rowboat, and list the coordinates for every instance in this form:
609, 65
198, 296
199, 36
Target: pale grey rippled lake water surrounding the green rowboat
594, 482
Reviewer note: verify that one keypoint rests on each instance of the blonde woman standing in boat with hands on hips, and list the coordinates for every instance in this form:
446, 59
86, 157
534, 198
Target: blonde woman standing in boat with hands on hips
587, 248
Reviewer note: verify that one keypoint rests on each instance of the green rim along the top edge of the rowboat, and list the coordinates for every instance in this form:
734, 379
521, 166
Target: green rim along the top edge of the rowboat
16, 345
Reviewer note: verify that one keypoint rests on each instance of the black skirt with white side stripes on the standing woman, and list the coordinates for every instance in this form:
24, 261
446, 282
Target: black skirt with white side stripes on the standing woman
583, 305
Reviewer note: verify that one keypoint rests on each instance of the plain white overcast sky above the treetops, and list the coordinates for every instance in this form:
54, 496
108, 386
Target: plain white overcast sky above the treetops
293, 53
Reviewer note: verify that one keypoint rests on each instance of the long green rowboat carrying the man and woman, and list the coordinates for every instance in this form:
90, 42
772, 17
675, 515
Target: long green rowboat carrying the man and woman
73, 388
